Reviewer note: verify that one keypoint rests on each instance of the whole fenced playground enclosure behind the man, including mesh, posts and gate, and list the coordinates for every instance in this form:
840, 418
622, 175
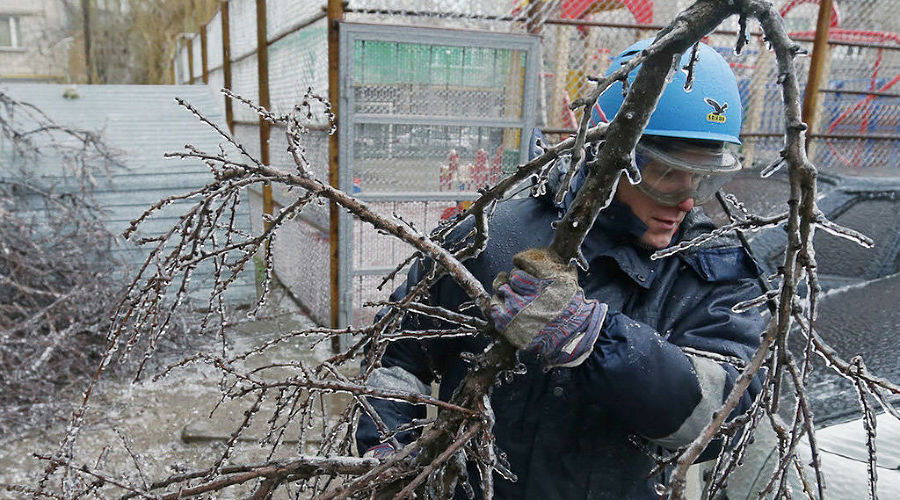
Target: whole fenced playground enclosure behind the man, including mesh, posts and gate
434, 121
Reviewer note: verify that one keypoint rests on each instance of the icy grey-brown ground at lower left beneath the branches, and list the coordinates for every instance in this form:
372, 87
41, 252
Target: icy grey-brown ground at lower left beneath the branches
166, 424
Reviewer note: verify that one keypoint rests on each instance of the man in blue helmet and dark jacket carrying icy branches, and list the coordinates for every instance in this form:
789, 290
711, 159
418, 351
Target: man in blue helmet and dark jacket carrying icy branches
616, 370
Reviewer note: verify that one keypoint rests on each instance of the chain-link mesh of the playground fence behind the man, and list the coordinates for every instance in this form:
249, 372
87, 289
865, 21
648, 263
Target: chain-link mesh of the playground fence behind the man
855, 127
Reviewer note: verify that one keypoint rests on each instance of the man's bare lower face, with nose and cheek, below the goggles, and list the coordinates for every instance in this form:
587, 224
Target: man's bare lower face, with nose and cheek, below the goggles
662, 221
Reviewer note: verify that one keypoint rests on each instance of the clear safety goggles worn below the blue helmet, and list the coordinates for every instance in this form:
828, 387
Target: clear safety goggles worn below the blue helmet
673, 171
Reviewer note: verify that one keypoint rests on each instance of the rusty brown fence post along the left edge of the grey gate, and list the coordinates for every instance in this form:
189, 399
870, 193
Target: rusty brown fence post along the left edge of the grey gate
335, 14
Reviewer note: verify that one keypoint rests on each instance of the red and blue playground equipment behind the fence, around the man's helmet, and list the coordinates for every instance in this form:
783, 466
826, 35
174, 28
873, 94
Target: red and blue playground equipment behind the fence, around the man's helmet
856, 128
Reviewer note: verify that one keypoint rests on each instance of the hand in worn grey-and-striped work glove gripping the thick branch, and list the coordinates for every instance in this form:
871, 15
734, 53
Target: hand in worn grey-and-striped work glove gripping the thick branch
539, 307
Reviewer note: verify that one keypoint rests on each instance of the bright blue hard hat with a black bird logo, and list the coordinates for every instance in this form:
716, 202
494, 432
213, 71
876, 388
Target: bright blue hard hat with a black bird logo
709, 111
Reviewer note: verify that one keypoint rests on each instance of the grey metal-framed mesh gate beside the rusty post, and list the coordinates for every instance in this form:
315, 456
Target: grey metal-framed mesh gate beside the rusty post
427, 116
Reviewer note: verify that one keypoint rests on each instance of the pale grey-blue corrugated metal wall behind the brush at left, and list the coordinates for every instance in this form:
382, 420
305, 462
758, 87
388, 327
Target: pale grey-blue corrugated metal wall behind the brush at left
140, 123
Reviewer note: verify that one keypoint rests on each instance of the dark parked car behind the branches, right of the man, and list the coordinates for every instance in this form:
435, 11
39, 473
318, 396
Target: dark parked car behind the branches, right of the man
857, 313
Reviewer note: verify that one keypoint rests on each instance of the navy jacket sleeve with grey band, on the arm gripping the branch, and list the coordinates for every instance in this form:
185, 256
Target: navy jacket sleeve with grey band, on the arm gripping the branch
648, 383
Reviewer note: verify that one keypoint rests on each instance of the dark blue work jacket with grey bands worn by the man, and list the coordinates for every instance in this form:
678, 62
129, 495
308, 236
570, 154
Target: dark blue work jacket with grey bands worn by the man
584, 432
